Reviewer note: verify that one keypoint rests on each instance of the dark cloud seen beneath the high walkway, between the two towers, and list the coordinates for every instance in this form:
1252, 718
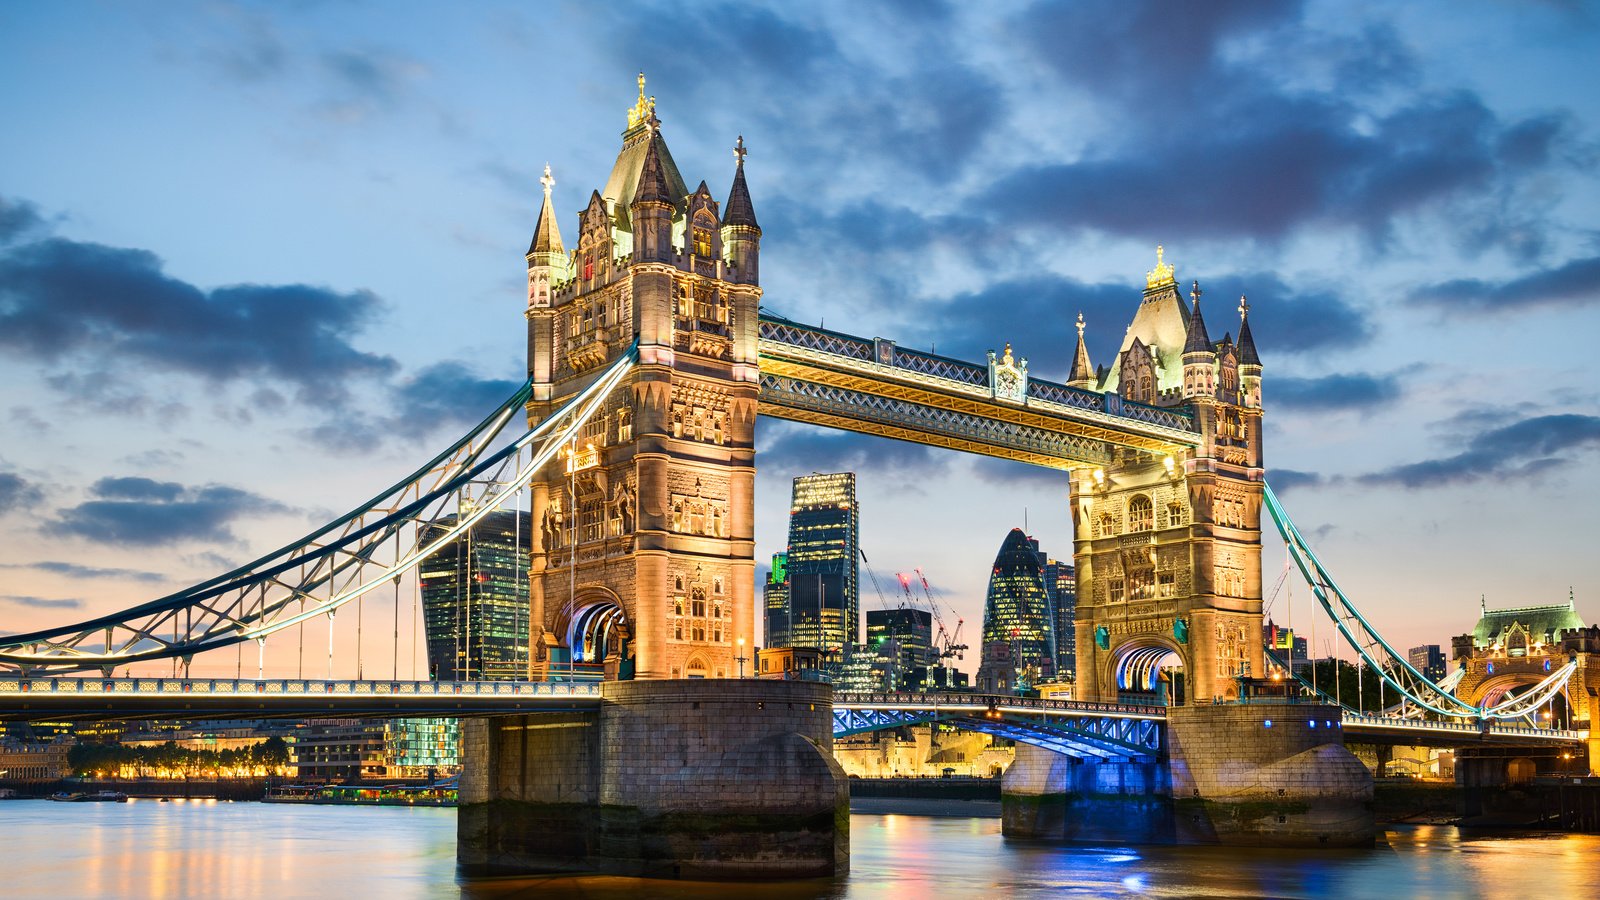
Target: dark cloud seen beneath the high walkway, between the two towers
790, 451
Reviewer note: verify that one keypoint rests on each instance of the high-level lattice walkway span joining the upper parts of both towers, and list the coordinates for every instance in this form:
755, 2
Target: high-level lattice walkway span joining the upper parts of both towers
874, 387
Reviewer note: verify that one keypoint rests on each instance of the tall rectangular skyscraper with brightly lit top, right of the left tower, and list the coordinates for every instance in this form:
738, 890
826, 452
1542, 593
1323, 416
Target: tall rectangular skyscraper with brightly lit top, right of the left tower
825, 608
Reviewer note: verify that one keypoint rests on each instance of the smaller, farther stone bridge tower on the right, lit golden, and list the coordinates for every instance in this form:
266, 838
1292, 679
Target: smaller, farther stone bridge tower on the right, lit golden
1169, 548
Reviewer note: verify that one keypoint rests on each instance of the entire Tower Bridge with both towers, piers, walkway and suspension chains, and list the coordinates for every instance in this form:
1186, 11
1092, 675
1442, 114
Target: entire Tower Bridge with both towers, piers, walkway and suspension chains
649, 363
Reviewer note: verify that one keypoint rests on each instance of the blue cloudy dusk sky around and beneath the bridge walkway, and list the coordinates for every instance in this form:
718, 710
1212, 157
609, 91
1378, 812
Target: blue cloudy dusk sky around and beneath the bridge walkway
257, 262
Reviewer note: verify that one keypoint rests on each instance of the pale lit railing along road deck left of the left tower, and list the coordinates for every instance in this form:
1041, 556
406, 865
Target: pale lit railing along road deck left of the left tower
294, 688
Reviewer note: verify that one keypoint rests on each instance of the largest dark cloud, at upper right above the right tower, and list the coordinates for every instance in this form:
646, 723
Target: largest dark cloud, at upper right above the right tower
1210, 142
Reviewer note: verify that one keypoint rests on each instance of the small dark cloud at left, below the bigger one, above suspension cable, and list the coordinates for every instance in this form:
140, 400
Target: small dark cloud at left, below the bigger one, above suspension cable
129, 513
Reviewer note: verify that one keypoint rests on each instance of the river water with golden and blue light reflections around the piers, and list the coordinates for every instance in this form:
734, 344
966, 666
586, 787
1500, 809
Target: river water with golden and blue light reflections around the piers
228, 850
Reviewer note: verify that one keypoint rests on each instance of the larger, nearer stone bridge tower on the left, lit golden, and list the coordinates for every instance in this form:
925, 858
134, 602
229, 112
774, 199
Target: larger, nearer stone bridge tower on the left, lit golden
644, 547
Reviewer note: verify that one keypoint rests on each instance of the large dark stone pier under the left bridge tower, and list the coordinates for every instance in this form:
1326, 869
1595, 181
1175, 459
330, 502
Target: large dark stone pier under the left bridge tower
708, 779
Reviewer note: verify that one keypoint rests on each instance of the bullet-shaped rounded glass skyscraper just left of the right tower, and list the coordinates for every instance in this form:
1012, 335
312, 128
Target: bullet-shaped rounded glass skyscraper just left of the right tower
1017, 645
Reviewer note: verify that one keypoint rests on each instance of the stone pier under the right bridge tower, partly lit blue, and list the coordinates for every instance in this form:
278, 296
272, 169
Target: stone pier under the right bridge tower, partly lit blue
1260, 774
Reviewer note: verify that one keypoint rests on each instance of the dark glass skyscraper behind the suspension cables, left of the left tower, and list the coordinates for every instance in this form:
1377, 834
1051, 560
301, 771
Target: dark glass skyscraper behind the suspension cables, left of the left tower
476, 600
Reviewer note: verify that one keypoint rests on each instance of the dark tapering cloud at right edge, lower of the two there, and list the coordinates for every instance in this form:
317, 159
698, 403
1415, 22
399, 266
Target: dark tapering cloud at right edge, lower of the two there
1519, 451
